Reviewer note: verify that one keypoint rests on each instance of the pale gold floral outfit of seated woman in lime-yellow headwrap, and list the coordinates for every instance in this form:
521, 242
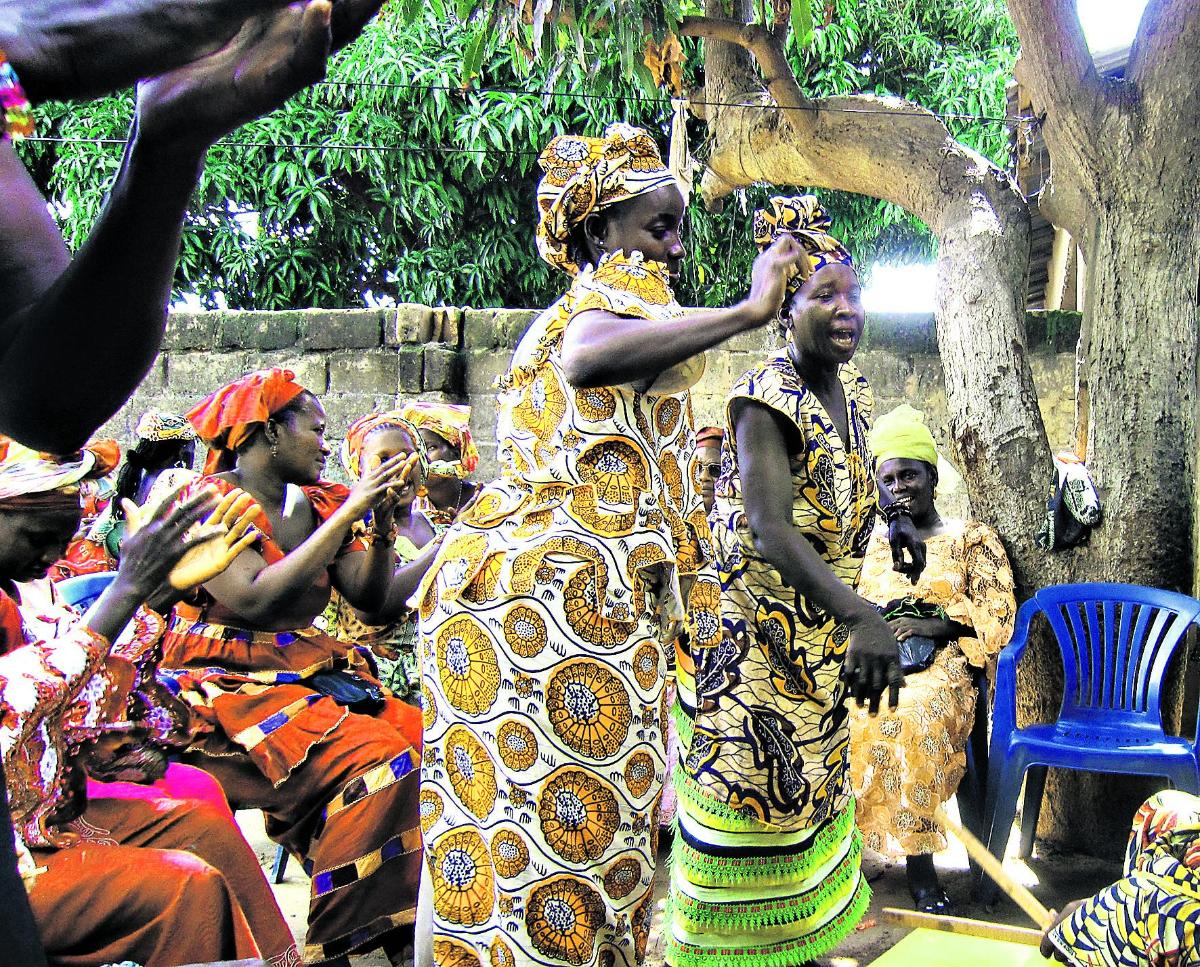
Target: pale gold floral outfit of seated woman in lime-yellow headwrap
909, 761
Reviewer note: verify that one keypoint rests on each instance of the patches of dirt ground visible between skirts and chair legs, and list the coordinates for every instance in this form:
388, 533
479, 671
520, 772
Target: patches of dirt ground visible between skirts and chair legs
1055, 879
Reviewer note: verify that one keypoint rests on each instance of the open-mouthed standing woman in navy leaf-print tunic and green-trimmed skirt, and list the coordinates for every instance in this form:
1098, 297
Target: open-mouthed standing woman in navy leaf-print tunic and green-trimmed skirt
766, 864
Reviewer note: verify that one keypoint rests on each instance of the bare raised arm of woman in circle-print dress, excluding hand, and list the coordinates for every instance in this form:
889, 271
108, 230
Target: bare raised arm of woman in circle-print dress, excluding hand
614, 350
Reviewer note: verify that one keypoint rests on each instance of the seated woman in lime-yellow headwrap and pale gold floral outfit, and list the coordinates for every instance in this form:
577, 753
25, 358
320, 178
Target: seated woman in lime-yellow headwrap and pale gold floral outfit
909, 761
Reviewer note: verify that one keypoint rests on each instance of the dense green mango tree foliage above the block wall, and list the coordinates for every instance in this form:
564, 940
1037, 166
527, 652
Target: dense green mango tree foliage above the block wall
428, 195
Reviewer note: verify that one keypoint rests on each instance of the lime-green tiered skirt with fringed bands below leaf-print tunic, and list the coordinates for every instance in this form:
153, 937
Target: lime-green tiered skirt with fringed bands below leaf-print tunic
767, 898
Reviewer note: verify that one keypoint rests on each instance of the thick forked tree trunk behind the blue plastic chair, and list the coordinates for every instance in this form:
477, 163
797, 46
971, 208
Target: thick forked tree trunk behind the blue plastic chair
1121, 155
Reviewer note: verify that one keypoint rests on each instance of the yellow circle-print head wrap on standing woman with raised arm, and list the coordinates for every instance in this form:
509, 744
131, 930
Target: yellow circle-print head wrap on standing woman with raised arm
589, 175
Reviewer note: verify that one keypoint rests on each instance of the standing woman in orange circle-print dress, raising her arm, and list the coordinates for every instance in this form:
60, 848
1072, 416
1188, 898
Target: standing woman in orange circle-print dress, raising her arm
545, 618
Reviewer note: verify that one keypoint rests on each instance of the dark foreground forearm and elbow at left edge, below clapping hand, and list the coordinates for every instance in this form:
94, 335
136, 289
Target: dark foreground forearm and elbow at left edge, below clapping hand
103, 320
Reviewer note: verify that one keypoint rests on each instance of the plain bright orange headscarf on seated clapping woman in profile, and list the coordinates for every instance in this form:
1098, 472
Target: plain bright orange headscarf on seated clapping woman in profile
227, 419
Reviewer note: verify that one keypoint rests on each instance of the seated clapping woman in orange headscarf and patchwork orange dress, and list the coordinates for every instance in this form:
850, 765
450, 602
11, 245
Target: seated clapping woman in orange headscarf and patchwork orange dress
291, 720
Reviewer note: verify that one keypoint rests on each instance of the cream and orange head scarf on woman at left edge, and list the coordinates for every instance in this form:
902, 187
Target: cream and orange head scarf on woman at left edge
31, 481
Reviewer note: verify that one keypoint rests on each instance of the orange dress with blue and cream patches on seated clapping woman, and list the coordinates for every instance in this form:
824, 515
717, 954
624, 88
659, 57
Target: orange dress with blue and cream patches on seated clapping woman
339, 789
